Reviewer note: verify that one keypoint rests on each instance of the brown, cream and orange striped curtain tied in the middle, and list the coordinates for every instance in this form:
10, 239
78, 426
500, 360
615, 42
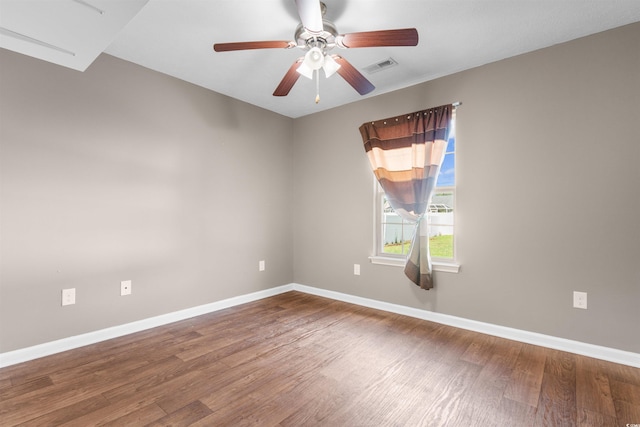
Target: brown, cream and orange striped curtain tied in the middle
405, 154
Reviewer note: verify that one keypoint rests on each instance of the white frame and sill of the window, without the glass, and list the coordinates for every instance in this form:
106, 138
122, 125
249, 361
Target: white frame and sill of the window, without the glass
379, 257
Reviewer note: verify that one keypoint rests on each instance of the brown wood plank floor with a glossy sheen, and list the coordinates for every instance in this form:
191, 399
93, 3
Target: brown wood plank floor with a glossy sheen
300, 360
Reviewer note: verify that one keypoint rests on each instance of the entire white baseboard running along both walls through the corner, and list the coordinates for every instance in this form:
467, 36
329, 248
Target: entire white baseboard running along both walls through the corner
590, 350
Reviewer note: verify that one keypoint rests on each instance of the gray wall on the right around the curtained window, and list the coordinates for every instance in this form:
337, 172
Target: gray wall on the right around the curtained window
550, 137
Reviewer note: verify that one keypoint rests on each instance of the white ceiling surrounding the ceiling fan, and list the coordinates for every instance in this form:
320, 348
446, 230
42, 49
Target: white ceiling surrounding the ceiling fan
175, 37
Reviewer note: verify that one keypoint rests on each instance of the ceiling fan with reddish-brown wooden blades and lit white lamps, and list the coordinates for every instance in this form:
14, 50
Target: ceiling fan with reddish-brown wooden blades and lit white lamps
317, 37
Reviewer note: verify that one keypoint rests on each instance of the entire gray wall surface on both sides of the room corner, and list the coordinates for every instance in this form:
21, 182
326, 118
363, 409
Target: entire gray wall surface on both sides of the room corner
122, 173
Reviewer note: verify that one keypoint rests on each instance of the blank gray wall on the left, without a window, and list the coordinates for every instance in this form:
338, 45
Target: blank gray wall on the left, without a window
121, 173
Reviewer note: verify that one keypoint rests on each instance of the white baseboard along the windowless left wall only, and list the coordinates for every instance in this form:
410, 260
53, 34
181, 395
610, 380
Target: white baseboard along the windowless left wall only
58, 346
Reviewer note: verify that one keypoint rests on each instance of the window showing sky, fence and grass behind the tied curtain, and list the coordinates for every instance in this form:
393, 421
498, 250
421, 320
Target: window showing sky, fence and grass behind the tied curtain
393, 234
